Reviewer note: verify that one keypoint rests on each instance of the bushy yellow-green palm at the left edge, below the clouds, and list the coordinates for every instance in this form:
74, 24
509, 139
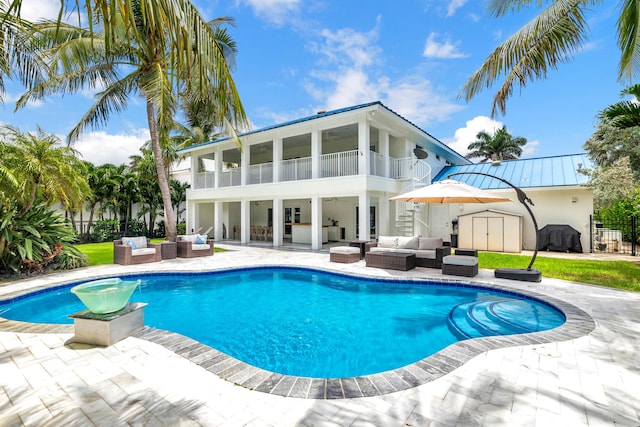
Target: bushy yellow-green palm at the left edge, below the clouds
44, 168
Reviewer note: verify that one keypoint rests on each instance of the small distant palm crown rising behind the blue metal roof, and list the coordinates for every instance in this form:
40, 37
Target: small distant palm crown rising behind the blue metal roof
499, 146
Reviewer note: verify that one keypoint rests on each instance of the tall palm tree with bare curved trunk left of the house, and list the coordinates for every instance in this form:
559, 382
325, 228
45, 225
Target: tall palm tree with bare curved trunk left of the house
162, 46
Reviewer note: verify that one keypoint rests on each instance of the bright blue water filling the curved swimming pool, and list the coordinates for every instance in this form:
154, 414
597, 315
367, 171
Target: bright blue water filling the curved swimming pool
311, 323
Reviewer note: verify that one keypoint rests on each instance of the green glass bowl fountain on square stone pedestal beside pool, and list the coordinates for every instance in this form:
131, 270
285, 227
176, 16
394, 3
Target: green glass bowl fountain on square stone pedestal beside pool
110, 316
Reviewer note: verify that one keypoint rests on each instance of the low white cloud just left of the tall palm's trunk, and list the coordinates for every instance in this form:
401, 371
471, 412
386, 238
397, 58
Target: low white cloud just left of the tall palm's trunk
100, 148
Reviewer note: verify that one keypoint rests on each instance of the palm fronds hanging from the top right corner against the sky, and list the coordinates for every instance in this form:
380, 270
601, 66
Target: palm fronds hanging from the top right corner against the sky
549, 39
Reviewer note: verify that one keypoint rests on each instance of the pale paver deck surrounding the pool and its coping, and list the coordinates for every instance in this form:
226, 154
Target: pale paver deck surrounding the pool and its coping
593, 379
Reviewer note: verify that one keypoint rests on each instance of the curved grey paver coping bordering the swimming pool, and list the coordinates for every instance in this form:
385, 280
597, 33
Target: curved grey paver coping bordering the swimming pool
578, 323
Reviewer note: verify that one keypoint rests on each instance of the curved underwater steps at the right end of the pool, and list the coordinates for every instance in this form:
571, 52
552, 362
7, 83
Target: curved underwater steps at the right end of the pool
490, 317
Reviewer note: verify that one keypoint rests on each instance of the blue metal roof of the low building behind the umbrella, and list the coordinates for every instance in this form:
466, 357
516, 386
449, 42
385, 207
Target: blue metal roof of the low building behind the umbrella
554, 171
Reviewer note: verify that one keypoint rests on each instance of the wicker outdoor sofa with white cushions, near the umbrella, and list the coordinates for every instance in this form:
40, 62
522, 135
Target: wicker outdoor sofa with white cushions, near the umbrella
429, 251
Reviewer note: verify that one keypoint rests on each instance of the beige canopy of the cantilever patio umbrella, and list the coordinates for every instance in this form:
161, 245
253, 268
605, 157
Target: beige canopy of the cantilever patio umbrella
449, 191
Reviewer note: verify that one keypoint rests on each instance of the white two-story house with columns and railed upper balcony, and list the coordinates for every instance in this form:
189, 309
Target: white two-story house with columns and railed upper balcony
329, 177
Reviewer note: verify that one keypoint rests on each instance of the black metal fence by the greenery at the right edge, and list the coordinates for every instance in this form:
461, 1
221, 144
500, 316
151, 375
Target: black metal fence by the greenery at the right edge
616, 235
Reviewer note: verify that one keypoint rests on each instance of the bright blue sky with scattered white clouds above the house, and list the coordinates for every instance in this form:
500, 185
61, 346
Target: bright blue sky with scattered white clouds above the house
297, 57
